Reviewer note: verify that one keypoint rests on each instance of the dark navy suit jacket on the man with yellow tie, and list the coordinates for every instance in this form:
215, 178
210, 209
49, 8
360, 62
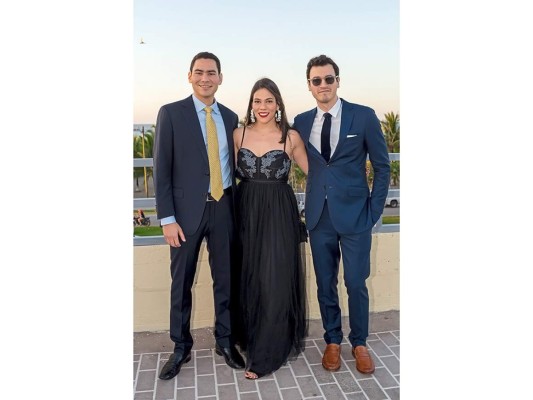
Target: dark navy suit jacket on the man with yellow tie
181, 166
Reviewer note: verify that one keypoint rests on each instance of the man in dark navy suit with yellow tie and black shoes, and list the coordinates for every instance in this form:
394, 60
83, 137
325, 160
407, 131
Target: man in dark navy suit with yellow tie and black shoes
189, 212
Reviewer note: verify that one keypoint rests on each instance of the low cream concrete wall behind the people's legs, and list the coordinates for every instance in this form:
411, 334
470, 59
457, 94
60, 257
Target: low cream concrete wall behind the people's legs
152, 284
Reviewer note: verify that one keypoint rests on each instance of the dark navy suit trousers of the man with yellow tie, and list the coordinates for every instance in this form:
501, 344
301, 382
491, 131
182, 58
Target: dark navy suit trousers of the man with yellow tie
217, 227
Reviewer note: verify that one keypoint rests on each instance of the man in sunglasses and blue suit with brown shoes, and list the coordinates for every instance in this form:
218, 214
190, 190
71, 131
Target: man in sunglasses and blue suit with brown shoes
340, 211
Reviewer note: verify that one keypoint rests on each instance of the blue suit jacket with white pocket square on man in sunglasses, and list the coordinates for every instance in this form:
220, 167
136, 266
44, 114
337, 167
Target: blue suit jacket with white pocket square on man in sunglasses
343, 180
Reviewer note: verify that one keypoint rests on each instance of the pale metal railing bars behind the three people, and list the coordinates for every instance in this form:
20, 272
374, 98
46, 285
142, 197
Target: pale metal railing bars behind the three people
149, 202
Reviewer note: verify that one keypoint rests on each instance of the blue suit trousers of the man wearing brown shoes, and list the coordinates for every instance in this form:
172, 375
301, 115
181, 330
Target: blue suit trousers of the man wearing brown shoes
327, 245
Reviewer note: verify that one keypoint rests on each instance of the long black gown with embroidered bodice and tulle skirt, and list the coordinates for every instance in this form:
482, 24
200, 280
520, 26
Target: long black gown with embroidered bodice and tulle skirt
272, 298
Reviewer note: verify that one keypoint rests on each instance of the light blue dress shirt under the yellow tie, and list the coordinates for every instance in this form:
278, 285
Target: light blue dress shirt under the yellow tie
223, 148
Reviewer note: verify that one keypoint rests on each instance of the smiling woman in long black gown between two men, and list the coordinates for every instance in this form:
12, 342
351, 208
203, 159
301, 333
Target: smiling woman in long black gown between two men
272, 298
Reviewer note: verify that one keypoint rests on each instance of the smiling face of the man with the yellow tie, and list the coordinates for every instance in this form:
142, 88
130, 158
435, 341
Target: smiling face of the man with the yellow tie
205, 79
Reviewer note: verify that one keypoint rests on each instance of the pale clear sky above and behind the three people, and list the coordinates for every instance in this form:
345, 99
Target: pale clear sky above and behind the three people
272, 39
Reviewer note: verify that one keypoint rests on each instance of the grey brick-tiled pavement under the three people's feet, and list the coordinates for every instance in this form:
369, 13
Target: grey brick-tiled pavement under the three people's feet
206, 376
